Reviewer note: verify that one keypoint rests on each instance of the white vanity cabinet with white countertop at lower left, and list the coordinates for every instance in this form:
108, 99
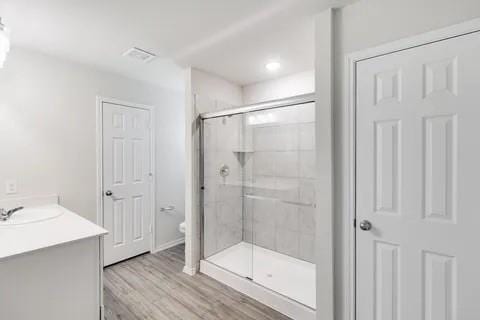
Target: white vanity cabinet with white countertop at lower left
51, 269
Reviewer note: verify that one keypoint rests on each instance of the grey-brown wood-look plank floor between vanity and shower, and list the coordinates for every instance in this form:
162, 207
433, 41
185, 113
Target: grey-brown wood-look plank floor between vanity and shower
153, 287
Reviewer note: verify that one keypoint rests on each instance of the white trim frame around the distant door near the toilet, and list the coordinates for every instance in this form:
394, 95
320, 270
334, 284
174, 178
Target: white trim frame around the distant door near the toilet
99, 143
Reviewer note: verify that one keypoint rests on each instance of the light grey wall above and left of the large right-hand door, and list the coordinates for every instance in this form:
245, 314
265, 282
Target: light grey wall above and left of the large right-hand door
365, 24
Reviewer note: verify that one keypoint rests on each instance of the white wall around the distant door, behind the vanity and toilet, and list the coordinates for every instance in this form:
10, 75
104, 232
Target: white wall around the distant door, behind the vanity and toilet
48, 128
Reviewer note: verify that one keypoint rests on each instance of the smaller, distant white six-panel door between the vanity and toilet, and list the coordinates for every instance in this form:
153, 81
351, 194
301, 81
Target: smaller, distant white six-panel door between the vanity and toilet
127, 181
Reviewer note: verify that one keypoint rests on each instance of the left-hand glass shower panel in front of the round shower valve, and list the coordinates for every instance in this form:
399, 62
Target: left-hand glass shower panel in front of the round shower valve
226, 230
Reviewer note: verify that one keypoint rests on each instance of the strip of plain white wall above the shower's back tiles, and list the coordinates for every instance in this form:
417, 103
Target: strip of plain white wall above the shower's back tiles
284, 87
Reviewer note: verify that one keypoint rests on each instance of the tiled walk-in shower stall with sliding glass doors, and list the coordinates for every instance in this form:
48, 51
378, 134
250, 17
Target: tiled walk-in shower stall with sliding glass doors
257, 167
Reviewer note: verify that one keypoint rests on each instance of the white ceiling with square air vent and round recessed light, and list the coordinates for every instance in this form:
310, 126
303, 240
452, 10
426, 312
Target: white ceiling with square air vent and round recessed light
231, 38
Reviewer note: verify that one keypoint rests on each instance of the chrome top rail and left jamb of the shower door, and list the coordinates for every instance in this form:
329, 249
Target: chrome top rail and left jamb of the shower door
268, 105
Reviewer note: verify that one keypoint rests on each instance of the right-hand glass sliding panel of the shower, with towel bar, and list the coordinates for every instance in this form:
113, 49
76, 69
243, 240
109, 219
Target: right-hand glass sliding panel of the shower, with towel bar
281, 174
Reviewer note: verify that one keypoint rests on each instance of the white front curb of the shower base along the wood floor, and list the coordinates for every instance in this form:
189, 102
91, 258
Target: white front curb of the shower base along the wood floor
266, 296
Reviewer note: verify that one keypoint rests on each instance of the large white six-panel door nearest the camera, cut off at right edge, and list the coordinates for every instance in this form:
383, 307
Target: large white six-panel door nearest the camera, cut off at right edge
418, 171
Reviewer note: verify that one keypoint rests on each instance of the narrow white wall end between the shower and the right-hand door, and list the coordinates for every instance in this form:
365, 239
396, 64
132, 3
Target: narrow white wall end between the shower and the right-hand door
324, 164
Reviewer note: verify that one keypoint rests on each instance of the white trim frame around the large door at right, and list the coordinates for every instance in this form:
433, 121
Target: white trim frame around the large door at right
349, 141
